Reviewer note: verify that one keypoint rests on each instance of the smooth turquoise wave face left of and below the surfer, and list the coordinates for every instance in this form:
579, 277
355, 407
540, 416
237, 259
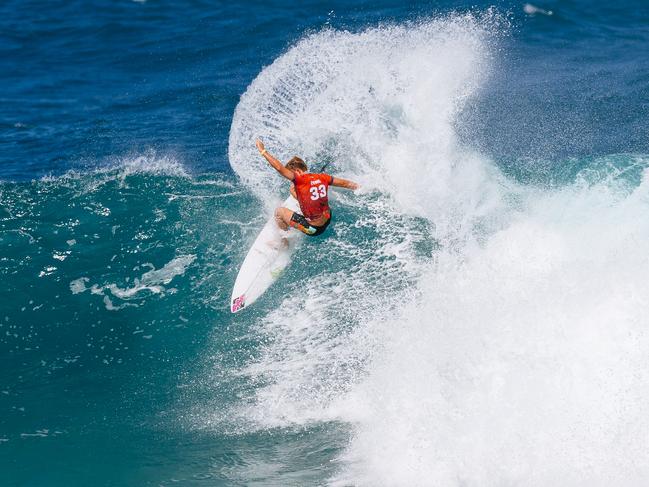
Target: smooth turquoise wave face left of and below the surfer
115, 336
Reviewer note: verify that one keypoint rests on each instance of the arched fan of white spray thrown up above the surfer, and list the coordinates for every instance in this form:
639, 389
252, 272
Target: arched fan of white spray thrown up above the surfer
380, 104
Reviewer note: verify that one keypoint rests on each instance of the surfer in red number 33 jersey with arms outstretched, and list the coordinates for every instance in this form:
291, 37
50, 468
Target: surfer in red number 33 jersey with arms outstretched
311, 192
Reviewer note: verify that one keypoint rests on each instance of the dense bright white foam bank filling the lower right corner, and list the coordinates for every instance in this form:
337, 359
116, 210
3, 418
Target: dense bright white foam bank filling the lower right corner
527, 363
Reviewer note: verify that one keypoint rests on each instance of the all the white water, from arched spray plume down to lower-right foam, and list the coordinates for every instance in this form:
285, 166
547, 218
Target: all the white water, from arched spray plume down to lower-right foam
518, 353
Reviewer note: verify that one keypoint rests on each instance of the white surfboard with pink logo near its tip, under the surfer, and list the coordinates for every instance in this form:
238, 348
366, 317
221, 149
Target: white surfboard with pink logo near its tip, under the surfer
265, 262
